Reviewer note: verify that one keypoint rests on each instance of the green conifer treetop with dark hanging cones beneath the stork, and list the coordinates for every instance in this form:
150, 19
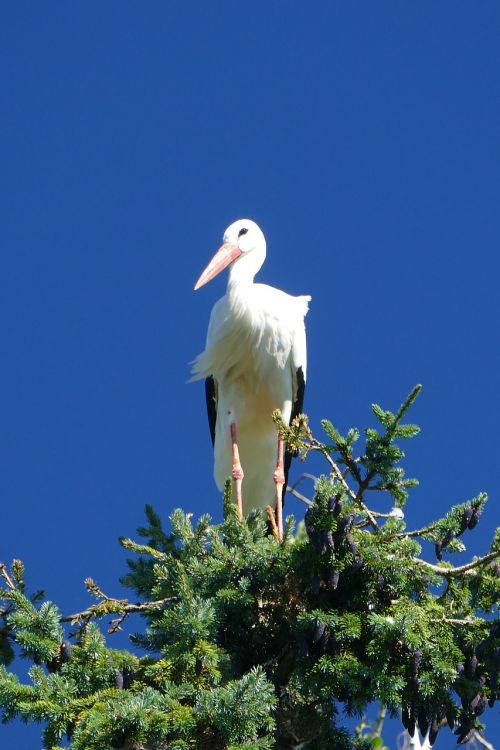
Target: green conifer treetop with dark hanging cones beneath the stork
244, 643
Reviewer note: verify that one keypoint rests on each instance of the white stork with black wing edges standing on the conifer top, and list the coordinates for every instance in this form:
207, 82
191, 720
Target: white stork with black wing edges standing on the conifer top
254, 362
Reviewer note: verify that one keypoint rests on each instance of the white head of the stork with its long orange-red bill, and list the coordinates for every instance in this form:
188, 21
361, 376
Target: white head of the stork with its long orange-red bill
244, 246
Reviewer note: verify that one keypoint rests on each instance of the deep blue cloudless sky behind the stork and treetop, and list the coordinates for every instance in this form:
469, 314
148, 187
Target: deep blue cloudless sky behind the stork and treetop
363, 138
